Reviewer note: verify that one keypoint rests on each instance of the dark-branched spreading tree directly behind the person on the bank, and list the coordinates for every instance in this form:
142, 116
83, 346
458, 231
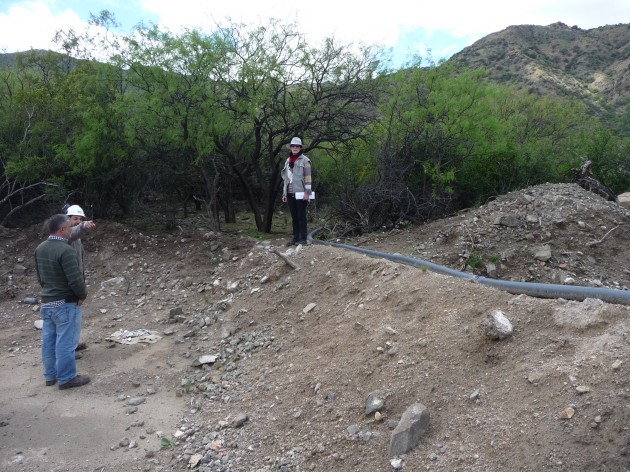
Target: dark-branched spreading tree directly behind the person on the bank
271, 86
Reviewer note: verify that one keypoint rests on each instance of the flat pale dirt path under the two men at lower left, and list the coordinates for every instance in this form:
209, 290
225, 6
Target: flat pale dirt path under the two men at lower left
44, 428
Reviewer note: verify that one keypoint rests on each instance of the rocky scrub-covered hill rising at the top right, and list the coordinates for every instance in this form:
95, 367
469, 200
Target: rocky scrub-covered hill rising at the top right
591, 66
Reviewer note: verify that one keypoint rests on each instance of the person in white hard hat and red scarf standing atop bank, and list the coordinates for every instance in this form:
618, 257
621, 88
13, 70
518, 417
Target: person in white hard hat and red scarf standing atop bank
296, 190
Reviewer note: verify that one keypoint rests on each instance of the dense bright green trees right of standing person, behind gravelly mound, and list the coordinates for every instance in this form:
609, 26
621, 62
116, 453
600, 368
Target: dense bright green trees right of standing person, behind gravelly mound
448, 139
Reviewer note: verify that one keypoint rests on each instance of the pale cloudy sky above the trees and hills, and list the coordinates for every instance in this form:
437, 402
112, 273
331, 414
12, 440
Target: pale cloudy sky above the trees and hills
408, 27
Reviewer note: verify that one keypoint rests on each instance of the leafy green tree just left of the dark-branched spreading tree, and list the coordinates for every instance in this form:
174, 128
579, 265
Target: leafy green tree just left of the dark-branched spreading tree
171, 116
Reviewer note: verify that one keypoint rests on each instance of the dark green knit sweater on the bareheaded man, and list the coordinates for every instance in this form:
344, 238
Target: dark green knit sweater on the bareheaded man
58, 272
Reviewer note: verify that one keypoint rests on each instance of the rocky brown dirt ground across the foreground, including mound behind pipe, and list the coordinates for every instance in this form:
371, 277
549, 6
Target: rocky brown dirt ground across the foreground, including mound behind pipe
263, 367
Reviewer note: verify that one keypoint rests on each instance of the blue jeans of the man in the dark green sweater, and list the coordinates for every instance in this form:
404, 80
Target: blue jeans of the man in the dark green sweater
58, 337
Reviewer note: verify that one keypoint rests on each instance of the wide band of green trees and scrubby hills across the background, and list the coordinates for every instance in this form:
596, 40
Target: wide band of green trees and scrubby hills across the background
172, 120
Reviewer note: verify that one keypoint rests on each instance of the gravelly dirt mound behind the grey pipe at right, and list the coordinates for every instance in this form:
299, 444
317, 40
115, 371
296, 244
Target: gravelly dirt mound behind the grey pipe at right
587, 238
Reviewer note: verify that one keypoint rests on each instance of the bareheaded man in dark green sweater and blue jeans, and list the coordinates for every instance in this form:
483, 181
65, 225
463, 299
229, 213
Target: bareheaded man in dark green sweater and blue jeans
63, 292
